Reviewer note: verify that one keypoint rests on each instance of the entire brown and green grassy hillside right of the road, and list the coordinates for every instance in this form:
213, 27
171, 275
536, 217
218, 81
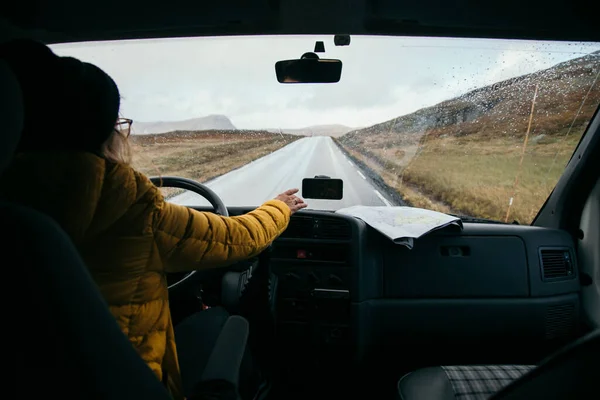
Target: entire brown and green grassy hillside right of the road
464, 155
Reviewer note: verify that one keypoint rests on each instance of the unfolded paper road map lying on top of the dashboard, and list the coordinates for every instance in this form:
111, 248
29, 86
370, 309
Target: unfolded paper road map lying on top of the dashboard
402, 224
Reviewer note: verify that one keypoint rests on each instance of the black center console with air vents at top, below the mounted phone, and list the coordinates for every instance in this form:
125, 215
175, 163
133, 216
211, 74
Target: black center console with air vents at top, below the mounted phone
312, 262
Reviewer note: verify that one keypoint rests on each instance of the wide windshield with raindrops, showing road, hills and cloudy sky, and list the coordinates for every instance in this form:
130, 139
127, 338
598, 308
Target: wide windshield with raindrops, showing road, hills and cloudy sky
482, 128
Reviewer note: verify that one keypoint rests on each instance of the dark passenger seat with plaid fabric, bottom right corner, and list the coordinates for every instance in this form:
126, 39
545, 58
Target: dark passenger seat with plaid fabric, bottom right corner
571, 373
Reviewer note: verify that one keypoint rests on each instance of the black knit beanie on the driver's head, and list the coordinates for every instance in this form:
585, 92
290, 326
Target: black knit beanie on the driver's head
68, 104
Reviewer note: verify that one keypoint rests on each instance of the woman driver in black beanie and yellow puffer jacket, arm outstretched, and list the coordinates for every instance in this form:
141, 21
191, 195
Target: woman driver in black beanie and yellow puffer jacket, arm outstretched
73, 164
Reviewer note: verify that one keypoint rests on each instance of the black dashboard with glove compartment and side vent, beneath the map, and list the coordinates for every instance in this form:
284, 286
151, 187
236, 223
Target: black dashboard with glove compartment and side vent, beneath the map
487, 293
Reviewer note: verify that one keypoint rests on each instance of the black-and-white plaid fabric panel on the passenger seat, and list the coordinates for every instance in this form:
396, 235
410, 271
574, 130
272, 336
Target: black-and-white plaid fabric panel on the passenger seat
479, 382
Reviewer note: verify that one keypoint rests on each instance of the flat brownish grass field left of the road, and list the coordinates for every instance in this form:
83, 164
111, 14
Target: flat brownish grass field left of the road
202, 155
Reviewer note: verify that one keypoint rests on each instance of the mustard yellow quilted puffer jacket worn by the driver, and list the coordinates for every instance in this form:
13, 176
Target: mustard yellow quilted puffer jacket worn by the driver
130, 237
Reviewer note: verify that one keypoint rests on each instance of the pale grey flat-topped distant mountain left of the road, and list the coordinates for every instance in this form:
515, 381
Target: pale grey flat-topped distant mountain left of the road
210, 122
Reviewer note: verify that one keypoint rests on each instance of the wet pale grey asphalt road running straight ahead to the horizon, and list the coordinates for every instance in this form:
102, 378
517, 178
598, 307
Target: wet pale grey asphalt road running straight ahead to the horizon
265, 178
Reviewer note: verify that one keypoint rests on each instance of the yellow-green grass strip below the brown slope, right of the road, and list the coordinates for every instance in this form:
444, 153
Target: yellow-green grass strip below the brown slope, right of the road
477, 177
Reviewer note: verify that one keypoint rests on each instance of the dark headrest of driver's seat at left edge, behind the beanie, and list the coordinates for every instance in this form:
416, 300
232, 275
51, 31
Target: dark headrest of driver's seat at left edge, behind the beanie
11, 114
